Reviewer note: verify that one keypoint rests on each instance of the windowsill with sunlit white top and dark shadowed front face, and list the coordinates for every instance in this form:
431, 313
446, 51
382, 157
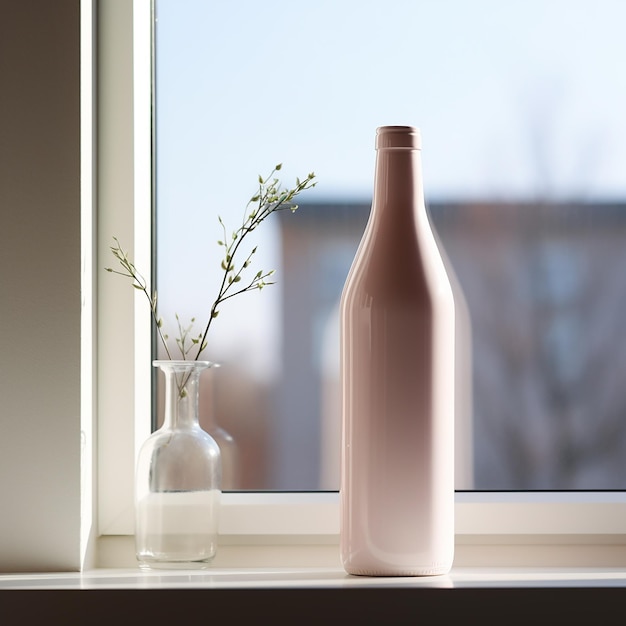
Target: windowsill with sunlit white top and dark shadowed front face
313, 594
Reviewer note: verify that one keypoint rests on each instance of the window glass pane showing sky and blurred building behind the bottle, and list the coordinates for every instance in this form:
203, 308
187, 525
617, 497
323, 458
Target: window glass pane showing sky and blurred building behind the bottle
521, 107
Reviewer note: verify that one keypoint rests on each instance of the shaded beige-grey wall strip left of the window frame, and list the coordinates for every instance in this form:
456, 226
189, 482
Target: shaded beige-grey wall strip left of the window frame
40, 277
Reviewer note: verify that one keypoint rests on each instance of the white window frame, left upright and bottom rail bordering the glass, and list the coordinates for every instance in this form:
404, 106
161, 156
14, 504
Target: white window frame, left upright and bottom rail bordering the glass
124, 361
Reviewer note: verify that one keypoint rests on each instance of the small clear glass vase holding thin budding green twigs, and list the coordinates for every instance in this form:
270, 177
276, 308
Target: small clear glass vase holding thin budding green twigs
178, 479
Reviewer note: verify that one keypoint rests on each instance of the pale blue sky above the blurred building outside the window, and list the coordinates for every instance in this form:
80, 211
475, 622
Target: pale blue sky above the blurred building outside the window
513, 98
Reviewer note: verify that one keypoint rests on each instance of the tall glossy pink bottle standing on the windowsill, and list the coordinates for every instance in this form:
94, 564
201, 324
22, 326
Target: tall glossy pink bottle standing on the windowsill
397, 375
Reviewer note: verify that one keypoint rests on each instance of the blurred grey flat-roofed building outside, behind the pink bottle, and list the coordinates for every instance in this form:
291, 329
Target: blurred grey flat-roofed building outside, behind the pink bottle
545, 287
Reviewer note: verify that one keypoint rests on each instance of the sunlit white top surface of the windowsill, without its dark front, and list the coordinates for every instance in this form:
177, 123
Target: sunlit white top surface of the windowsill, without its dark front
243, 578
